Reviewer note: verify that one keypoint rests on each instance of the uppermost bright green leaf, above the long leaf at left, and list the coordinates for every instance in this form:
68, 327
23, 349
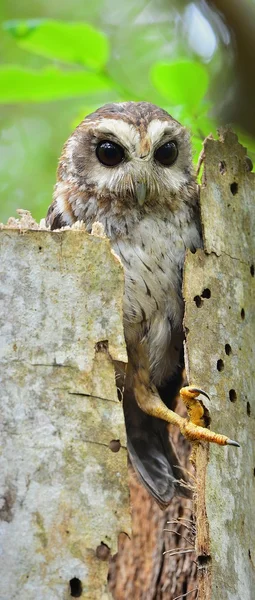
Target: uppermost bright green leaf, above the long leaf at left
76, 43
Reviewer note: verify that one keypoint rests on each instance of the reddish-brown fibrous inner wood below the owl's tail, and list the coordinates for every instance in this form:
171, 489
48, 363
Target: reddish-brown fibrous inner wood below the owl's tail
154, 564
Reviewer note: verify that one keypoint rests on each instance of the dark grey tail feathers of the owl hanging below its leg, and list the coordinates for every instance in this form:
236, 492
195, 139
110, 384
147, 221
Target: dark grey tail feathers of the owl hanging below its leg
152, 454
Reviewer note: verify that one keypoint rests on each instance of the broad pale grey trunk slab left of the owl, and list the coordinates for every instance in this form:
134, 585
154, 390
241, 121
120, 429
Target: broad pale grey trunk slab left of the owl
64, 491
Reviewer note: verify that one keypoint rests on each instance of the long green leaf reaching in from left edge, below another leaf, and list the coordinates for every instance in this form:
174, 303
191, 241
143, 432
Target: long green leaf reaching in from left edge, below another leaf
23, 85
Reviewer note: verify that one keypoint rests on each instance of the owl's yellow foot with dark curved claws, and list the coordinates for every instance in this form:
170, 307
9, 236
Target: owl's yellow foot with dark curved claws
194, 428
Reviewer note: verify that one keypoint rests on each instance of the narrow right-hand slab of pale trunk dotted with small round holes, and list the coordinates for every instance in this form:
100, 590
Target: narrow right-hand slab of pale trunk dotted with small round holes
220, 328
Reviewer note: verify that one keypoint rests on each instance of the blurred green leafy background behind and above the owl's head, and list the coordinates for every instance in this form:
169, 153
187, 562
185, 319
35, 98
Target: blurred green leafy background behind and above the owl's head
55, 71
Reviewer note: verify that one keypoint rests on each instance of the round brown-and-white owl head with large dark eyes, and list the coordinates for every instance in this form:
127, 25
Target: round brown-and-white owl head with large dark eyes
124, 156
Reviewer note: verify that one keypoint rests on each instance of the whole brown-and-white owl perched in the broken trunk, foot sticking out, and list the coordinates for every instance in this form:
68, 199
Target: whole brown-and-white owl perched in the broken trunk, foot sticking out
129, 166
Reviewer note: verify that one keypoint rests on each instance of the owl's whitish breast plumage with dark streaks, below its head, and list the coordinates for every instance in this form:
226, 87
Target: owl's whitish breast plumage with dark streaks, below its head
153, 257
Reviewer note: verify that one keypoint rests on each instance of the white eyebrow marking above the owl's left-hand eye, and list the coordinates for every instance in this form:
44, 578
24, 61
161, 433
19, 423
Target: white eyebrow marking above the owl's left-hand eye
126, 133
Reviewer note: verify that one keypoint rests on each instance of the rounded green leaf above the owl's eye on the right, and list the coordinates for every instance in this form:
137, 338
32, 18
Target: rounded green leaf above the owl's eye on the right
182, 82
